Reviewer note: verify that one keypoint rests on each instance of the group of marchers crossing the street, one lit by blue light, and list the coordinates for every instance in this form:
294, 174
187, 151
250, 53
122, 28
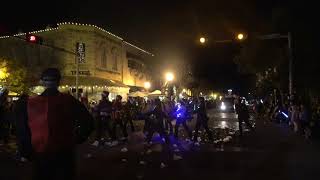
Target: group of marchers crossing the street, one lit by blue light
158, 117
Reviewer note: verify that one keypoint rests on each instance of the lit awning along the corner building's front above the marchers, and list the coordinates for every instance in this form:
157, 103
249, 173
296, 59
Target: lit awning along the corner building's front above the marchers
91, 81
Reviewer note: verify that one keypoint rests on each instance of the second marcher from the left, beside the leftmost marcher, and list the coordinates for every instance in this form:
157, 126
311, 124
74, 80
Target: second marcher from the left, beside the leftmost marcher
117, 118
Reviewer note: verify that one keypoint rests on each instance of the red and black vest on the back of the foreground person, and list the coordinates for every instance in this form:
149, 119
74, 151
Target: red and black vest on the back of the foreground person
50, 120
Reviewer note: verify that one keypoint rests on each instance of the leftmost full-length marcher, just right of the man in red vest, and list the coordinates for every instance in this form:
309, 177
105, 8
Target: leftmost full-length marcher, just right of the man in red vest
102, 113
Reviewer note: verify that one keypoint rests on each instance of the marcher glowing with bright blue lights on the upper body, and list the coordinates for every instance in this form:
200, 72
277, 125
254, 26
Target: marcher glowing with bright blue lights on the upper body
181, 117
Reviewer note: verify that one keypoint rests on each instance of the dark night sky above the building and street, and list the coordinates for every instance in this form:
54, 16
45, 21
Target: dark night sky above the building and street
169, 29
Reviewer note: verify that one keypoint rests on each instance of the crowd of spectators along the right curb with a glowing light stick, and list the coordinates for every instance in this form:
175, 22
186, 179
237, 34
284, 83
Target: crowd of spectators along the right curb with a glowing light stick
302, 117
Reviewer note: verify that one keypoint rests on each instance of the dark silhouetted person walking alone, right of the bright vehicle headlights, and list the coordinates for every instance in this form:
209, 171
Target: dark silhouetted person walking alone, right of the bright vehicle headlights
243, 115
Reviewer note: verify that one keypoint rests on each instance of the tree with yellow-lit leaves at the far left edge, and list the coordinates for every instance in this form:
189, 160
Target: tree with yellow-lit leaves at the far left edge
14, 76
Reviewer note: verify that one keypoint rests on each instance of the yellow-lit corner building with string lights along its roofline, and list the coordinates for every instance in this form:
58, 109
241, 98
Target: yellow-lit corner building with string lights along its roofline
106, 61
